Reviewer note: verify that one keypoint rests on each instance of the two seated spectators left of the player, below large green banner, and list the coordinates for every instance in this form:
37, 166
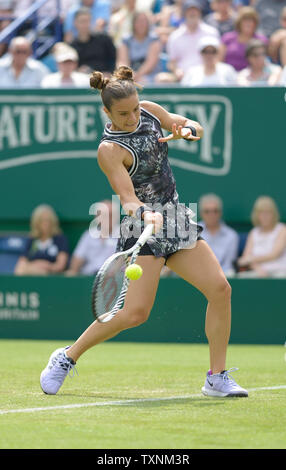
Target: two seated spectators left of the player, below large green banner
47, 249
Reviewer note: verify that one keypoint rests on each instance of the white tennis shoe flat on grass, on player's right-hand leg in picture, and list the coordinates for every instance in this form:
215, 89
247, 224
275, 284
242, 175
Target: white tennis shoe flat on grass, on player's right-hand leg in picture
223, 385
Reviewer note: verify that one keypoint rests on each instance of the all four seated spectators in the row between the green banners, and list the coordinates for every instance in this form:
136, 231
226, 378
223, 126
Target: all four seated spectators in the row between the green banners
260, 252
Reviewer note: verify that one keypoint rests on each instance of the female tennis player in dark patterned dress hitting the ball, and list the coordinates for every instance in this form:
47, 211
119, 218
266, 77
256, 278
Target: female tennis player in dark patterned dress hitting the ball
133, 154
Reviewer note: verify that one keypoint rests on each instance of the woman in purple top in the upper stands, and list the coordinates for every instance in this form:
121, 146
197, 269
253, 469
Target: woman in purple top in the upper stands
235, 42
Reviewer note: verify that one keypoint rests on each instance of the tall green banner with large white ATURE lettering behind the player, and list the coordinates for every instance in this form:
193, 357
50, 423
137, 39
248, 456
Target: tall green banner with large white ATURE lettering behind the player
49, 141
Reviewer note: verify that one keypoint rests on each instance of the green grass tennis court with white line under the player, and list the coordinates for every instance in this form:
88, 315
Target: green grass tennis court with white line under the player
141, 396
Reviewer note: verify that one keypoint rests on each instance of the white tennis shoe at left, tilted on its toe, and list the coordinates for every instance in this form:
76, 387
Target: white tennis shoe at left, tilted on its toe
53, 376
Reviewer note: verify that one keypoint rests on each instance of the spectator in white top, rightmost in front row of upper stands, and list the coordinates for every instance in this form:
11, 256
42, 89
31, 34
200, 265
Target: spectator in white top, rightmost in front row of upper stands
260, 70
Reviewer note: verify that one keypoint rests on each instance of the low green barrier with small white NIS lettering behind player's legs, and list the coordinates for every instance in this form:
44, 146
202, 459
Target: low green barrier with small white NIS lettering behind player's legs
59, 308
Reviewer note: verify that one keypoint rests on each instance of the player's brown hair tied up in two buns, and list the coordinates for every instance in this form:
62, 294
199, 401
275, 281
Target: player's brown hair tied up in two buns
120, 85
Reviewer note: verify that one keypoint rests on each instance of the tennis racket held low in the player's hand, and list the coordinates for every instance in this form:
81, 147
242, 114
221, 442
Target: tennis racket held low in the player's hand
110, 285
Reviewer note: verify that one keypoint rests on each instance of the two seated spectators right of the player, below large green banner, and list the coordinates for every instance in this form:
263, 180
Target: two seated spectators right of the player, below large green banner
261, 252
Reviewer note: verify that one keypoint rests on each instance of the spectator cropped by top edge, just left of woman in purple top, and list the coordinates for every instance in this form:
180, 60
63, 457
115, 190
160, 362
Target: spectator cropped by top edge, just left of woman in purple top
223, 16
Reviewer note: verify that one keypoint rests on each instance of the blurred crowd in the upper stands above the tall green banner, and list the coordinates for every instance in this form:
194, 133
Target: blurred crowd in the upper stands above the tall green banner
184, 42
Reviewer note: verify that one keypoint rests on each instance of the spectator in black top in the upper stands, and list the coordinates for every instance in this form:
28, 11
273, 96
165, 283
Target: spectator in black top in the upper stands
95, 50
